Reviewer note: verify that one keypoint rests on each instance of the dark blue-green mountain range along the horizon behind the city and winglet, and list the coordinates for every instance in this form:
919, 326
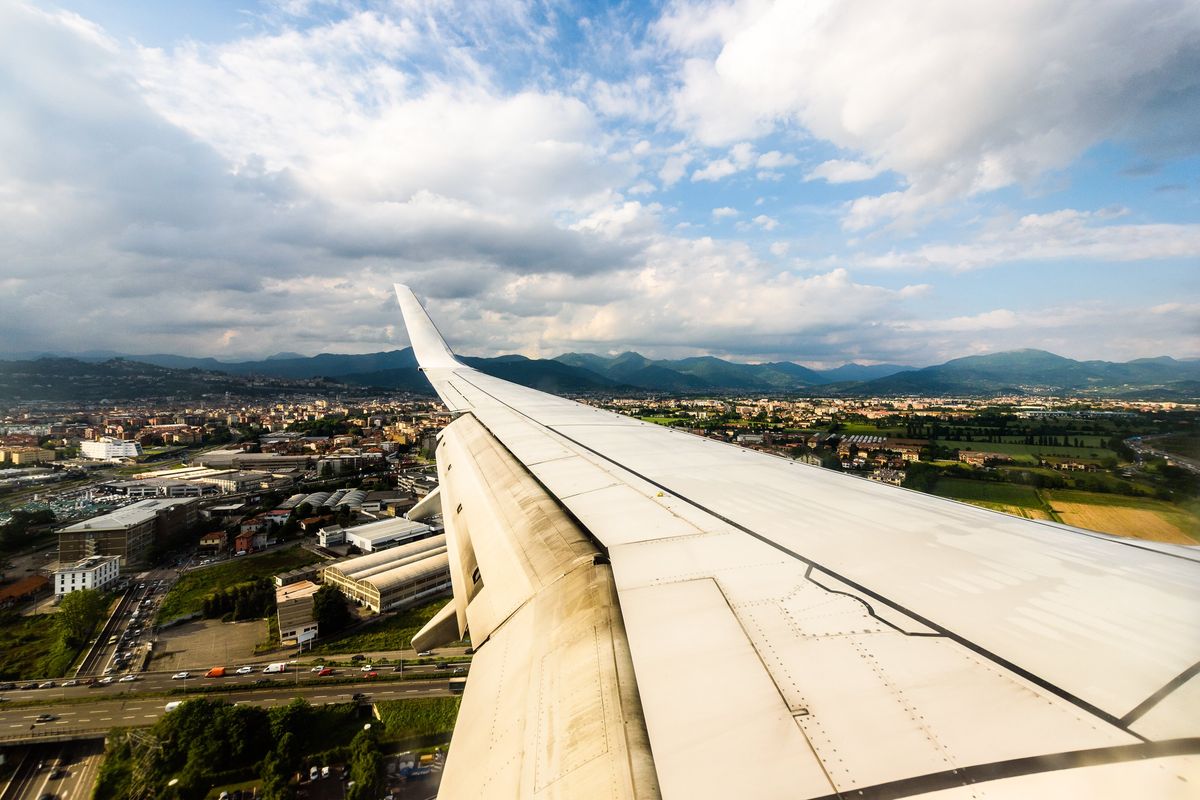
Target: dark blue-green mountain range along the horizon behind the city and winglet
1013, 372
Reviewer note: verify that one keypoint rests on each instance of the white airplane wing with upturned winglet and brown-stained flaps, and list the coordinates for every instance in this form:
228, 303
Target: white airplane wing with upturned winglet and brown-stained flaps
662, 615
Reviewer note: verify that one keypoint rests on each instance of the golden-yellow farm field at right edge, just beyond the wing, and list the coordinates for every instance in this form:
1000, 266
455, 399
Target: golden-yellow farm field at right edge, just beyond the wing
1137, 518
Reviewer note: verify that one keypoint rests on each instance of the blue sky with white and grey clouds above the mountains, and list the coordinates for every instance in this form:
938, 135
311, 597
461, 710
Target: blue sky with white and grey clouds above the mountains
820, 182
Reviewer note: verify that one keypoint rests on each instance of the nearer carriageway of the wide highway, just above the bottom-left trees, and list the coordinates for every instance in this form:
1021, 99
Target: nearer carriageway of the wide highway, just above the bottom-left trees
133, 712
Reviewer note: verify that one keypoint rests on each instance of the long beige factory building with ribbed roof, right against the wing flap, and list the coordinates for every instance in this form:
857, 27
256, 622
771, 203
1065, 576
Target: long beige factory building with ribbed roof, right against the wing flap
394, 579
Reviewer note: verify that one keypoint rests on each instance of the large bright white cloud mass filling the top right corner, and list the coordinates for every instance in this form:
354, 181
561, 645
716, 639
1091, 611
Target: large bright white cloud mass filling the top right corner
958, 99
